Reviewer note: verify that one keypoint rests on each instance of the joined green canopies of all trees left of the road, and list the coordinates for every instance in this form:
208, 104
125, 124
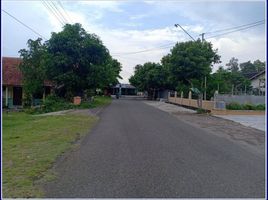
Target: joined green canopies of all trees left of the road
73, 60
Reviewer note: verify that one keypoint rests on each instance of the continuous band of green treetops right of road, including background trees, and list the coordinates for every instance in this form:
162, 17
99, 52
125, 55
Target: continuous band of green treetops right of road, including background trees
187, 65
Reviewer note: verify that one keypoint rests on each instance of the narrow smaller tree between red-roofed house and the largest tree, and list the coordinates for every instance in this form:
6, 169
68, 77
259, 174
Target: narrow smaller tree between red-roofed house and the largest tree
33, 68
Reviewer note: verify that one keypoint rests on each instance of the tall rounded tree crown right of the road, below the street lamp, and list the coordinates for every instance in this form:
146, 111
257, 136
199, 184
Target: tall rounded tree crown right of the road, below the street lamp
189, 62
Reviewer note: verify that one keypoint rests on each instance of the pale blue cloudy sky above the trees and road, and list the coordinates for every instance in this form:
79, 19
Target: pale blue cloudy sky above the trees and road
138, 31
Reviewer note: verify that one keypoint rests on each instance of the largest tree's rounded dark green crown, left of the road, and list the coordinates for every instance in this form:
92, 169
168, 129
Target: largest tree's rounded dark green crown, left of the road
79, 61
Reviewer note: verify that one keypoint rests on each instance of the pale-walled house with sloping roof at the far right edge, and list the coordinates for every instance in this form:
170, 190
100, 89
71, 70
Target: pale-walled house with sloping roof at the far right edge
258, 82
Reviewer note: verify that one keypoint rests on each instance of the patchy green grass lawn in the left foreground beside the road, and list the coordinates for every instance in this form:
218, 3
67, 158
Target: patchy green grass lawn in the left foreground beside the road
31, 145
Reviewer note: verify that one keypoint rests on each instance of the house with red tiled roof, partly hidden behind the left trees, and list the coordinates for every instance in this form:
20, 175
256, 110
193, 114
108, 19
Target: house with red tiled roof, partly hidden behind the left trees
12, 83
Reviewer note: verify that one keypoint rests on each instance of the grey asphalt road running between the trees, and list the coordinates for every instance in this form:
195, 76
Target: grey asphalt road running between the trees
139, 151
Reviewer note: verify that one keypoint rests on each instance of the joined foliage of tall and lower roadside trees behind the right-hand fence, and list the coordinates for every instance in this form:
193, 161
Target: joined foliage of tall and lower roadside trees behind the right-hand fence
186, 66
